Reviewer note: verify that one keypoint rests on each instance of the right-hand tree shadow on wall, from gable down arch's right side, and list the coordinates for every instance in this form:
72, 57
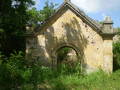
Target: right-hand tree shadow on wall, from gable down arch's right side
76, 38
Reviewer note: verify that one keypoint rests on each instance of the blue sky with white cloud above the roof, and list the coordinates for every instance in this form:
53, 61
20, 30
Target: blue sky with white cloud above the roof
96, 9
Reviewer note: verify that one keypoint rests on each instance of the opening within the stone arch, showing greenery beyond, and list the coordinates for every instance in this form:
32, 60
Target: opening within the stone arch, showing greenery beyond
66, 55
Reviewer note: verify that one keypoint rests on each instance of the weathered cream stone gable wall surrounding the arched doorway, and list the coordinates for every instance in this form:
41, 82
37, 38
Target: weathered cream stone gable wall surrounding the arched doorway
70, 30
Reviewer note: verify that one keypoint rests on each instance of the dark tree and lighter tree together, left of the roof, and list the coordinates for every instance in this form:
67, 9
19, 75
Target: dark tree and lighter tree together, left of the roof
15, 15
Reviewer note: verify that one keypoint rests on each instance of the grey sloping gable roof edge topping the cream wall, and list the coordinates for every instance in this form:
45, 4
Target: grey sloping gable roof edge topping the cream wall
94, 24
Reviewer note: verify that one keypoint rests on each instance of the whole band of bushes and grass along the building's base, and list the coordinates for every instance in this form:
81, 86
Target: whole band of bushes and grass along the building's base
15, 73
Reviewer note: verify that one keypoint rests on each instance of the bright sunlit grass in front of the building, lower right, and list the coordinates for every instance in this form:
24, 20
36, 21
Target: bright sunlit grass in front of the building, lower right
94, 81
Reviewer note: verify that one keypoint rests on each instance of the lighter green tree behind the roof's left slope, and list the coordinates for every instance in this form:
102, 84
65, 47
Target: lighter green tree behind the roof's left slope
39, 16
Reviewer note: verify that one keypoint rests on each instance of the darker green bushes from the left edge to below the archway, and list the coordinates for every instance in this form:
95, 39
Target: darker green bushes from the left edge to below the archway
16, 73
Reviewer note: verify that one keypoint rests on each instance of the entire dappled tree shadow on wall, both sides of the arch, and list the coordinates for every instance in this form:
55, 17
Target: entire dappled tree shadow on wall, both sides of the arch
72, 37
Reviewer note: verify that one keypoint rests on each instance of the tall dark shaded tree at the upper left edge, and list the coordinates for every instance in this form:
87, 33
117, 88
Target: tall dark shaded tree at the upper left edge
13, 20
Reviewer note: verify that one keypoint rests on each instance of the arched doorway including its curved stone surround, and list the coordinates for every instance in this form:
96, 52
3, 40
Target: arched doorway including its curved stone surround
66, 54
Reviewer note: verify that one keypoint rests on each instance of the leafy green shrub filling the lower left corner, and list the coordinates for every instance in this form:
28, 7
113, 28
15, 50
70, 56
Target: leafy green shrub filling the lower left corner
13, 71
